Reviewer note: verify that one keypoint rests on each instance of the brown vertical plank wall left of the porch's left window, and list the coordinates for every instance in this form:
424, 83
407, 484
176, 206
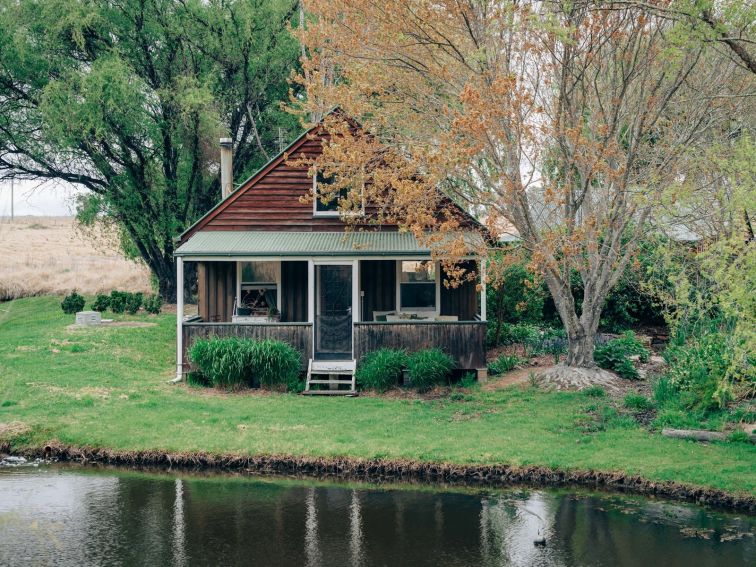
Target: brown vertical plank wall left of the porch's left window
216, 290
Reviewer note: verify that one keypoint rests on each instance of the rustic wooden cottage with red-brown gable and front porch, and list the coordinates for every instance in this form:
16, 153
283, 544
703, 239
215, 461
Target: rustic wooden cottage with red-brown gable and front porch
271, 265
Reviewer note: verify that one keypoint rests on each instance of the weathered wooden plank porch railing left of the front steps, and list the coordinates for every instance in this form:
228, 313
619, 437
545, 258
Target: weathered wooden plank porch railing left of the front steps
298, 335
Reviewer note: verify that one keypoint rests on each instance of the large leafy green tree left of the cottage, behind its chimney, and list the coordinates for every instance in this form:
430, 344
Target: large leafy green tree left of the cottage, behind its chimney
129, 98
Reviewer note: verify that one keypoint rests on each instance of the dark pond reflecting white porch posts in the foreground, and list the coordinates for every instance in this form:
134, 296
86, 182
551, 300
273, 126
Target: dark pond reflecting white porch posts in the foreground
66, 515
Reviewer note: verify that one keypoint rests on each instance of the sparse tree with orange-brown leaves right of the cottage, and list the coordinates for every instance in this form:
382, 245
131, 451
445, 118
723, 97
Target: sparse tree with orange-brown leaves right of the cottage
565, 120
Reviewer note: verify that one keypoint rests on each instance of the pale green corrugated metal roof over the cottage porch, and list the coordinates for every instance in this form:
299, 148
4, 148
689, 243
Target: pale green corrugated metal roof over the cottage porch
235, 243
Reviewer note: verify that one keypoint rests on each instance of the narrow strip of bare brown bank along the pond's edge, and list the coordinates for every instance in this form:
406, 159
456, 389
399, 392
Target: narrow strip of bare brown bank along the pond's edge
381, 470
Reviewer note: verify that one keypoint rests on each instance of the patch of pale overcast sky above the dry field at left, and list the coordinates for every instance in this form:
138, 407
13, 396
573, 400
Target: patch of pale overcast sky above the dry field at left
33, 199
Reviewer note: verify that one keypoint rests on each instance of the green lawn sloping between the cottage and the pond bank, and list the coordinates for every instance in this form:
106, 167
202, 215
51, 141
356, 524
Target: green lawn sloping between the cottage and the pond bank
108, 388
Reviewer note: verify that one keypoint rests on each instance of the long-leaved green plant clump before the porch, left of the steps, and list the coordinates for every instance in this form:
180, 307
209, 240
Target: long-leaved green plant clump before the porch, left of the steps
234, 362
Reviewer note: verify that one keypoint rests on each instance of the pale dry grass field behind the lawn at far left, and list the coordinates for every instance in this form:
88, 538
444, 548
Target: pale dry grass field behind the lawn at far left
47, 255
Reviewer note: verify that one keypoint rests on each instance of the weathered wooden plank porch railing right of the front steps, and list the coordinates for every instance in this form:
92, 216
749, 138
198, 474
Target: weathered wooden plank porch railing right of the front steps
463, 341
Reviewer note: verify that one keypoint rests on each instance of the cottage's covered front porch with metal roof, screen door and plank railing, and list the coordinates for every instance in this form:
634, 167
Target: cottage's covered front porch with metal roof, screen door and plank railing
332, 296
